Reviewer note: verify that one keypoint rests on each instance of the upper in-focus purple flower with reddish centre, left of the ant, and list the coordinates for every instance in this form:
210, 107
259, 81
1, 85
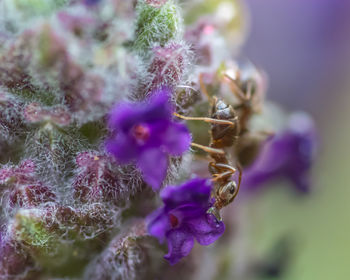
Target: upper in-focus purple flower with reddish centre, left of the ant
145, 134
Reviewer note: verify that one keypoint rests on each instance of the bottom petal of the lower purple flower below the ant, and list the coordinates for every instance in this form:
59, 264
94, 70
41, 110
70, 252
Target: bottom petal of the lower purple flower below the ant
180, 244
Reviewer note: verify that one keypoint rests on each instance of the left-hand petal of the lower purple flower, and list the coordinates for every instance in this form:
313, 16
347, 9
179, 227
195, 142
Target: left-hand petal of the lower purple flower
158, 224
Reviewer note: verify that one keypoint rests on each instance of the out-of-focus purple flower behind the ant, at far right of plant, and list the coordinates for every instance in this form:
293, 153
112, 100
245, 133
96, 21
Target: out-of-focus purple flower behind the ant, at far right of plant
289, 154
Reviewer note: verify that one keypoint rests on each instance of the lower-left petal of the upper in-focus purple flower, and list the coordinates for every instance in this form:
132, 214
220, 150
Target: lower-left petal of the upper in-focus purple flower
122, 147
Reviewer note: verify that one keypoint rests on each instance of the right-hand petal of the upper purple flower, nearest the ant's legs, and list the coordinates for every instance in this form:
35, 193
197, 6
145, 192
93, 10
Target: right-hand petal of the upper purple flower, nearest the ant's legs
177, 139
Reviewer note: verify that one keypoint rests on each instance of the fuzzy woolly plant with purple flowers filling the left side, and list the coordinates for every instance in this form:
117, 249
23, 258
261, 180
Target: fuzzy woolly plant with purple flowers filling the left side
93, 94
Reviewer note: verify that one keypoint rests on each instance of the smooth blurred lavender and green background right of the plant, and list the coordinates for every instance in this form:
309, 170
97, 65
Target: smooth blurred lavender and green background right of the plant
304, 46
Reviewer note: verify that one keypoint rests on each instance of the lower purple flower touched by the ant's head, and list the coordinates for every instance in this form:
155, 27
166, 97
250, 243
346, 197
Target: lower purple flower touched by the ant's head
184, 218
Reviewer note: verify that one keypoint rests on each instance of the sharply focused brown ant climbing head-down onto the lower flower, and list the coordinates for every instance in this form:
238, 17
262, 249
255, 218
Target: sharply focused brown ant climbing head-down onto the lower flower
224, 133
